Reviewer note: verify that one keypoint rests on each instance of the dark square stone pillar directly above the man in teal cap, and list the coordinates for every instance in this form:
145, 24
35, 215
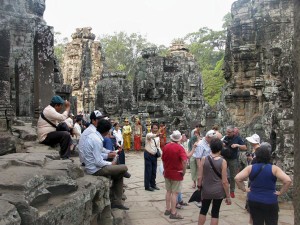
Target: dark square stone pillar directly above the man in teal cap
43, 69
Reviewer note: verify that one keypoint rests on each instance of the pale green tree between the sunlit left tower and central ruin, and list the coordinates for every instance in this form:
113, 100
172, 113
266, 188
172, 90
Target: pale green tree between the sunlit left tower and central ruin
122, 51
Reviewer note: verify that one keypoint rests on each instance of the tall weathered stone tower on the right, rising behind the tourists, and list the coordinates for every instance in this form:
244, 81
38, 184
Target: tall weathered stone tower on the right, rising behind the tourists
260, 88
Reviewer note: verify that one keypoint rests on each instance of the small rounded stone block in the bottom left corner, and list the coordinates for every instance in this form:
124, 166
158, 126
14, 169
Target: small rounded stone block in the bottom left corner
9, 214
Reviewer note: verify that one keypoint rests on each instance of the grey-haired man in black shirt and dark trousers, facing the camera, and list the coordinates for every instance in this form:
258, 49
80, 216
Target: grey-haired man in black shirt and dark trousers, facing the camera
232, 143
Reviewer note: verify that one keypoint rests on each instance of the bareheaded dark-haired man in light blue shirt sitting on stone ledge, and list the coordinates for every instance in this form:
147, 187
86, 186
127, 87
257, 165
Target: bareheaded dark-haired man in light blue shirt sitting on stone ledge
90, 153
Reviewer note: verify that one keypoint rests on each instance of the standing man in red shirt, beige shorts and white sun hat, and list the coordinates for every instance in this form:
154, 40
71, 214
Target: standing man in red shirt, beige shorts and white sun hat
174, 160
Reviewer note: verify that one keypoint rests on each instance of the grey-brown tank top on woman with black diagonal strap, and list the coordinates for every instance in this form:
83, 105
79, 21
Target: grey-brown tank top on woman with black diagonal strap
212, 187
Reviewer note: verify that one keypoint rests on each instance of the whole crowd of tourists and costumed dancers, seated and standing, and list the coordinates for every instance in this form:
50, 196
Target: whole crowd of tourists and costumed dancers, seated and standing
101, 148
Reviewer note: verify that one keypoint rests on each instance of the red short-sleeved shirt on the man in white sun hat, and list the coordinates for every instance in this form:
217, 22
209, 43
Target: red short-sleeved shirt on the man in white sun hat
172, 157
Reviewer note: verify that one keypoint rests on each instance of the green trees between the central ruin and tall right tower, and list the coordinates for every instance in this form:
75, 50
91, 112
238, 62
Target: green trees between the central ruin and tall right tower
208, 47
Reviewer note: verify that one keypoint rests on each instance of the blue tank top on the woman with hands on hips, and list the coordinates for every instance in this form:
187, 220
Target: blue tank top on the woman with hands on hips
263, 187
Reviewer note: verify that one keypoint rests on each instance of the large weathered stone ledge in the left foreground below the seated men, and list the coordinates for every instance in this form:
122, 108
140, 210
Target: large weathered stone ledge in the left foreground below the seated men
47, 191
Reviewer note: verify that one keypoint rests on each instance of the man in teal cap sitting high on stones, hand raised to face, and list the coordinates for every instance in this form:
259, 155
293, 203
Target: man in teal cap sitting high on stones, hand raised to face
47, 133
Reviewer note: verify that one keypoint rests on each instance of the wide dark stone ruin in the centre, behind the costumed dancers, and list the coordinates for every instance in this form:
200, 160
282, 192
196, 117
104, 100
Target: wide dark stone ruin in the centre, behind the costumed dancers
169, 89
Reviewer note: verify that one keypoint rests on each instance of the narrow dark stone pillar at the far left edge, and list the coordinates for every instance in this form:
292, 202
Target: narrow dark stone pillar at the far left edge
5, 106
